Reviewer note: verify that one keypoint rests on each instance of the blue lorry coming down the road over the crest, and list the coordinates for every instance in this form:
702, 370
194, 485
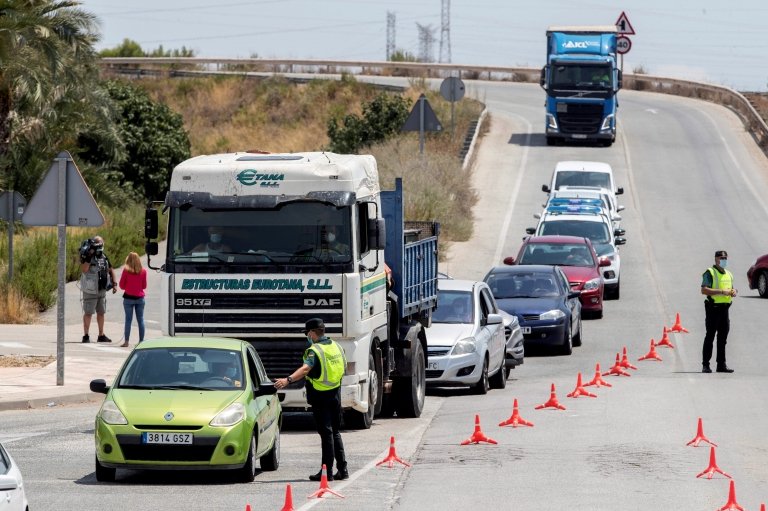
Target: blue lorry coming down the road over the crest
581, 79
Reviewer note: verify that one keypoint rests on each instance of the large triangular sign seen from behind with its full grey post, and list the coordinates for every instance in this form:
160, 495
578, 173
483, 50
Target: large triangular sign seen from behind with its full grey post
63, 199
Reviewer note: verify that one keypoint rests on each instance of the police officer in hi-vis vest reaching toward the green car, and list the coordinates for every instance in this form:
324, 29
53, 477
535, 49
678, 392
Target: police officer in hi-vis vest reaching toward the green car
324, 366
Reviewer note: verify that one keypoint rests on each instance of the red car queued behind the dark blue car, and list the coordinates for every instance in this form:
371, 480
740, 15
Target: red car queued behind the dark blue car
578, 260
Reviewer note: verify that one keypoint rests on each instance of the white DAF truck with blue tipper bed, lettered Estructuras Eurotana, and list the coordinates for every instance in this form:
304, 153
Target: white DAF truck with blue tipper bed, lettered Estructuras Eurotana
259, 243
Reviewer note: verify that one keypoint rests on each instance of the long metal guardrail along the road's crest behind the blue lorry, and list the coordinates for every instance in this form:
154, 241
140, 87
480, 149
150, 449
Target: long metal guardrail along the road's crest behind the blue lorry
185, 66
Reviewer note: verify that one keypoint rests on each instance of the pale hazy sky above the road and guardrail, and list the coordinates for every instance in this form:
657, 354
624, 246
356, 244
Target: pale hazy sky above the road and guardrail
720, 42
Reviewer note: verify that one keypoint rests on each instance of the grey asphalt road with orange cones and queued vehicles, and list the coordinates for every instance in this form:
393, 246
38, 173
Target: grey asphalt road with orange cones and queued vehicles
694, 183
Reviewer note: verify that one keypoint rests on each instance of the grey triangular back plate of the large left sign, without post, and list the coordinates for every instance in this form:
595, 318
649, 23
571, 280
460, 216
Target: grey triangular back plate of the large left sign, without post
81, 208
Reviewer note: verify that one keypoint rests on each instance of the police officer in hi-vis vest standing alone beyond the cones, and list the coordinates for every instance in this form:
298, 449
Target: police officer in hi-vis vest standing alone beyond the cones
717, 285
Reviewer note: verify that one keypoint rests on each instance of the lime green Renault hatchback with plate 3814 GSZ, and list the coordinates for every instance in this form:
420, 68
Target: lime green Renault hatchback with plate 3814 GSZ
189, 403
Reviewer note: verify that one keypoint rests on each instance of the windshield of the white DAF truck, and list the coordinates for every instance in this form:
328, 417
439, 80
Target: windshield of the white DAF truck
295, 233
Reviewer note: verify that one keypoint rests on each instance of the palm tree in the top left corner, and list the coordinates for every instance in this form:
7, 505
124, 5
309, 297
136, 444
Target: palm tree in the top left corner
46, 58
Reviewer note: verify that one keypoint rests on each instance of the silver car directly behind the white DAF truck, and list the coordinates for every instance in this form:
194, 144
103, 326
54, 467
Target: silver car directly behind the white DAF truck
466, 343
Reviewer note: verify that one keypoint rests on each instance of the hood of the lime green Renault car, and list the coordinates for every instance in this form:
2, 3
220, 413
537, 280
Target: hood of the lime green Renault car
189, 407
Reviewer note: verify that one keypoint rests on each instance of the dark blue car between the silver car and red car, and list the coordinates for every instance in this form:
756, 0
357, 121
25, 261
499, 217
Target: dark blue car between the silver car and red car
548, 310
